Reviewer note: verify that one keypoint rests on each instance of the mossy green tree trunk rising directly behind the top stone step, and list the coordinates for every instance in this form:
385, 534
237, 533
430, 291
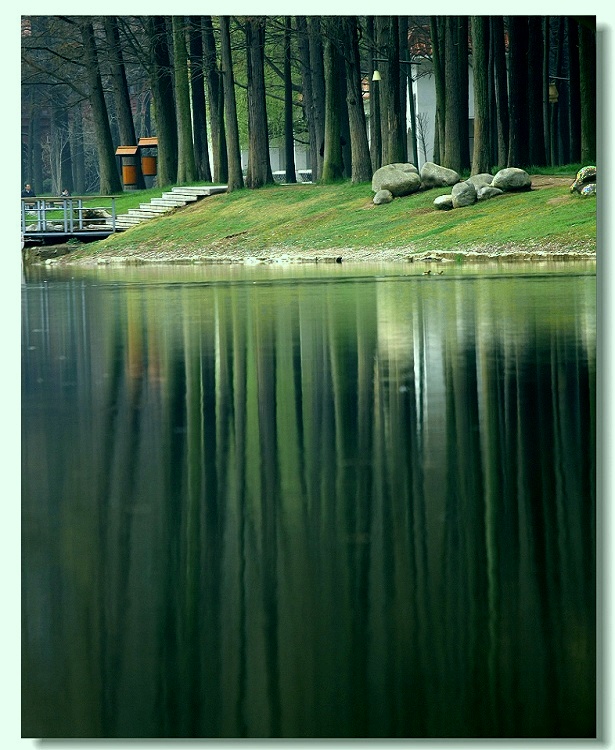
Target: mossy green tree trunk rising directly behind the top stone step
186, 167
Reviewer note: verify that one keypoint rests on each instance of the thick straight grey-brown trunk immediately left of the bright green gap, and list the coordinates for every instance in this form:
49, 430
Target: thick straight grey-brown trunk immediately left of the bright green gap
259, 164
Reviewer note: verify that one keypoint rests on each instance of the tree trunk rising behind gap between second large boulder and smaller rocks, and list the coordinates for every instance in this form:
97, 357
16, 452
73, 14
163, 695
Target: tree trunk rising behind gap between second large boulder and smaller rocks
453, 111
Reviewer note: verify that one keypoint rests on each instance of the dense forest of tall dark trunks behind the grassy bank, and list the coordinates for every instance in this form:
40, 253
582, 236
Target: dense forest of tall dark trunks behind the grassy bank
210, 88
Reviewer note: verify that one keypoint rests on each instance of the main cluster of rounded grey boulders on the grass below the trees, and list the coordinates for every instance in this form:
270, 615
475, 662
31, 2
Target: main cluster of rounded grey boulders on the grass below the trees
396, 180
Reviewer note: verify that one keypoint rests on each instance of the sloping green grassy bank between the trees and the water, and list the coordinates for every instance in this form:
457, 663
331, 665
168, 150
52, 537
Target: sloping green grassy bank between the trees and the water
313, 219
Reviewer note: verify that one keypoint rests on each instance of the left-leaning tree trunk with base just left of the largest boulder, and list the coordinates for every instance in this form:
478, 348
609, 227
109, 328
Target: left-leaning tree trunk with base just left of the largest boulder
360, 158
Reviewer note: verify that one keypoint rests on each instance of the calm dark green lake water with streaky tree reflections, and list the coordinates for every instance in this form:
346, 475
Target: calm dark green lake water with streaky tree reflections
309, 501
